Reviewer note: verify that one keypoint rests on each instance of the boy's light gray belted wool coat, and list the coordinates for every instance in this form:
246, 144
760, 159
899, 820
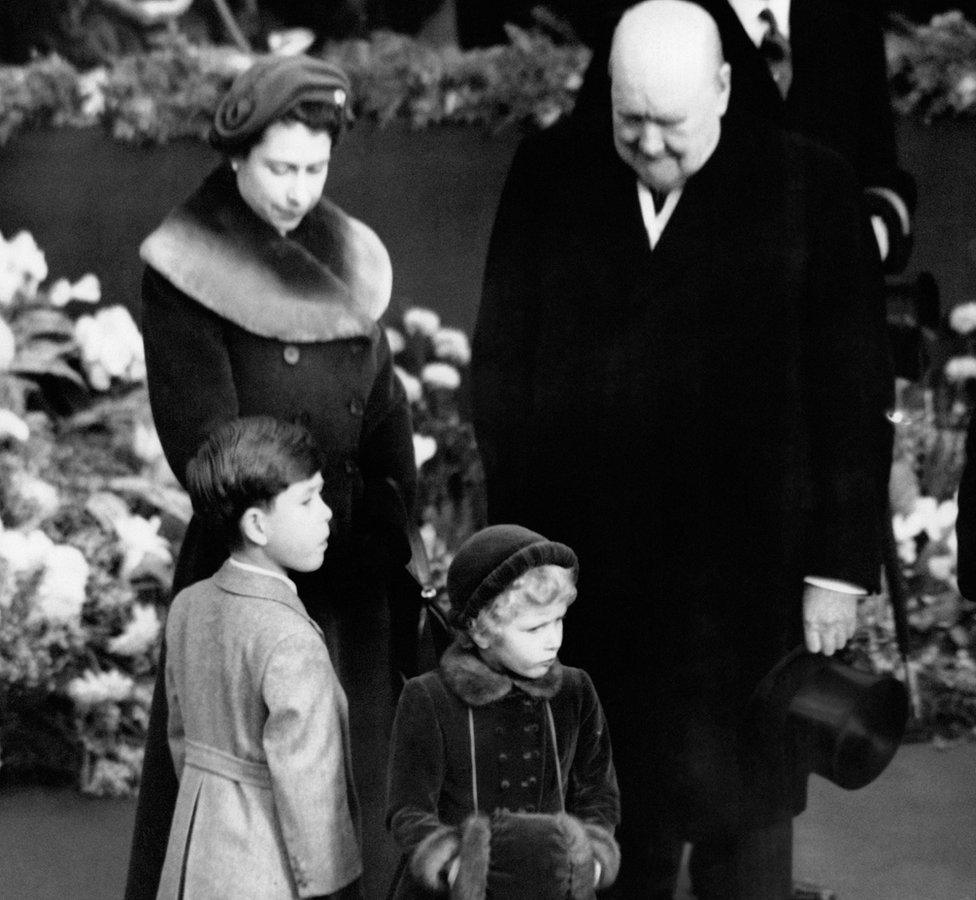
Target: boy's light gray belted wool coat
259, 733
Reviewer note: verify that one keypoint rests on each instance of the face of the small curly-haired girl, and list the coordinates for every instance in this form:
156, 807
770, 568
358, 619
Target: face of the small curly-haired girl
528, 644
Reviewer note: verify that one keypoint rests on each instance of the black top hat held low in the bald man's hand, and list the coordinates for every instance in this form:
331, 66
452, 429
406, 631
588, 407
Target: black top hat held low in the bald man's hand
843, 723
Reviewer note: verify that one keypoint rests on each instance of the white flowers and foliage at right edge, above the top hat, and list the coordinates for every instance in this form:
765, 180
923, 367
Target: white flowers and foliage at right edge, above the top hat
930, 418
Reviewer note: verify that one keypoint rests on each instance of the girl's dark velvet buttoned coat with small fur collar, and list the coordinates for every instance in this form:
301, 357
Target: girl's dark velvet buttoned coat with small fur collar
430, 790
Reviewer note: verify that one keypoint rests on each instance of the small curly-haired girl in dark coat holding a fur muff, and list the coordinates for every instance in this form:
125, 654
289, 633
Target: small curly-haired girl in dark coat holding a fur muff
501, 728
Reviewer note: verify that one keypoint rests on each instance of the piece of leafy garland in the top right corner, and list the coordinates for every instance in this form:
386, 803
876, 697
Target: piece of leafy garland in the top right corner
933, 67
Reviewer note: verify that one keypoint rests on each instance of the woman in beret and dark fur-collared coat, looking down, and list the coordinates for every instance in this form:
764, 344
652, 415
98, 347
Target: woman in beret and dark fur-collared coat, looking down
262, 297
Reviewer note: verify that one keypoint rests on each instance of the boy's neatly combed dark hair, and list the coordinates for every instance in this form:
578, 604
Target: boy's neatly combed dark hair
247, 462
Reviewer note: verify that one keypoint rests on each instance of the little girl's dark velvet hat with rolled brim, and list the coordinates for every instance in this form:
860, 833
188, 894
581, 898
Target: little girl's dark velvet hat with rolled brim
491, 559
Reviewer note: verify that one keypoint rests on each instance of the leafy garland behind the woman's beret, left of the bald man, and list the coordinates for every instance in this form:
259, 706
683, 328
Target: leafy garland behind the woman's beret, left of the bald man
171, 91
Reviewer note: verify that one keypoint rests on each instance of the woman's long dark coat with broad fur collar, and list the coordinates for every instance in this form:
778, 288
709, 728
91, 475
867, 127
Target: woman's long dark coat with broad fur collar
334, 375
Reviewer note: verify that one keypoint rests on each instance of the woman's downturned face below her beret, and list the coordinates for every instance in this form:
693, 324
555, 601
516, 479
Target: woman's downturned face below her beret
283, 176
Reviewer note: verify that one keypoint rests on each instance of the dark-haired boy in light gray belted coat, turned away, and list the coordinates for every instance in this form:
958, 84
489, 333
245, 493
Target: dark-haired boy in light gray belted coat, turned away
257, 718
